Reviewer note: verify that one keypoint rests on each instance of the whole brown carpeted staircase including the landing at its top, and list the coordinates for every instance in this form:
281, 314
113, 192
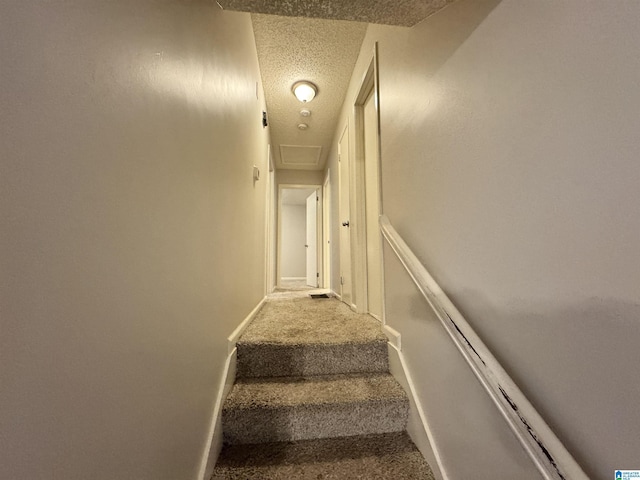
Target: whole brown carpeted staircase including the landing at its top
313, 398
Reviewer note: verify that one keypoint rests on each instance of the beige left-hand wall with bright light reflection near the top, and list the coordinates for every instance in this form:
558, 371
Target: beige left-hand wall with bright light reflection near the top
132, 239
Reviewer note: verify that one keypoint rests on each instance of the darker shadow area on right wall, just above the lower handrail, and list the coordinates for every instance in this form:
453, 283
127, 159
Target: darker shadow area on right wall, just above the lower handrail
577, 364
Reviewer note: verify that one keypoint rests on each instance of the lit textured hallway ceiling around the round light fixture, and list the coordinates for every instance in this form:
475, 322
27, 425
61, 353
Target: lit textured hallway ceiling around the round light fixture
321, 51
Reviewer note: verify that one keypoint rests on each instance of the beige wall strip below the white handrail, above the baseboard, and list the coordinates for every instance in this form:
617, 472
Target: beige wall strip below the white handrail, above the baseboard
471, 437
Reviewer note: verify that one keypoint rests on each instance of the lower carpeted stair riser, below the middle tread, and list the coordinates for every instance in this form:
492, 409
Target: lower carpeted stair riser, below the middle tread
261, 425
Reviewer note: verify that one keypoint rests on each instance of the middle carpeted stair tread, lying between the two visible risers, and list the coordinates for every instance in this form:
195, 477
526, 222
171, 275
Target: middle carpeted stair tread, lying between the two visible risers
281, 392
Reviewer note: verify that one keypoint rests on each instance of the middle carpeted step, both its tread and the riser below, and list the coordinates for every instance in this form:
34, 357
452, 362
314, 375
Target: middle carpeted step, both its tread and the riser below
296, 408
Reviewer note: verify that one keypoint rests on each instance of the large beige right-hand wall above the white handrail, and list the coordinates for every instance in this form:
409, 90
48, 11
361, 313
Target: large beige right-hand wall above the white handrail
509, 155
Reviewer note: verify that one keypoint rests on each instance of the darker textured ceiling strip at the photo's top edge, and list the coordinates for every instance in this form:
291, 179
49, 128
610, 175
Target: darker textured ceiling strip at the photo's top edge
392, 12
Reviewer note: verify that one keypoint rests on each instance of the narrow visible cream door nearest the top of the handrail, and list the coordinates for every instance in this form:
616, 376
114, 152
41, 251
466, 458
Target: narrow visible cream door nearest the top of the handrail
372, 208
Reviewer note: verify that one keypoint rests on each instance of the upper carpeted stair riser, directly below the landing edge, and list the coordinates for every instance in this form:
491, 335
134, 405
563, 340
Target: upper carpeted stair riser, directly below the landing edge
280, 361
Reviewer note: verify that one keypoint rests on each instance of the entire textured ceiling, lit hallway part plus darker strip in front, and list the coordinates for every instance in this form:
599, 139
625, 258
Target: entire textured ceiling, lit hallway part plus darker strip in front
318, 41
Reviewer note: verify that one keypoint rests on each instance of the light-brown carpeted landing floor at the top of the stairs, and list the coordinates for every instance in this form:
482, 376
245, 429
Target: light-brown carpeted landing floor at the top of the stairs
304, 321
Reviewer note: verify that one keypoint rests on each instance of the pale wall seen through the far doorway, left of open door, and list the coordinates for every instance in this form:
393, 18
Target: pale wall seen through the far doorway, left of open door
294, 238
